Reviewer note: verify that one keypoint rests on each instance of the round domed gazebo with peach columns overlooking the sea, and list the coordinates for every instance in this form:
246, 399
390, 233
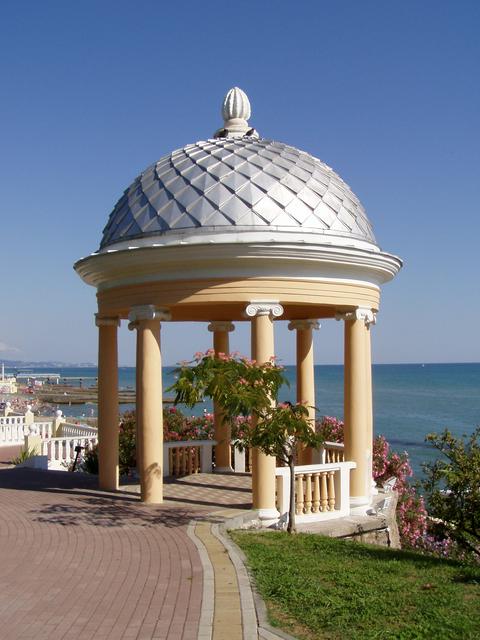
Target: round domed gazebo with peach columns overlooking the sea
231, 229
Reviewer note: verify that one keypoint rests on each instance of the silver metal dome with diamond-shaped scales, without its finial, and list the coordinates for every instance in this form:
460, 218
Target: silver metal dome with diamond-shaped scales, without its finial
238, 185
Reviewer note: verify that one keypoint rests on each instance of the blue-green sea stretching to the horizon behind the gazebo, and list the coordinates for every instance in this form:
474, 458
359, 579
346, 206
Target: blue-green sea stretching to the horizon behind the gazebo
409, 400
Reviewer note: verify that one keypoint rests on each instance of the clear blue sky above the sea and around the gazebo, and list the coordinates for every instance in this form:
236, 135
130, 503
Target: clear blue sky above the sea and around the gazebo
386, 93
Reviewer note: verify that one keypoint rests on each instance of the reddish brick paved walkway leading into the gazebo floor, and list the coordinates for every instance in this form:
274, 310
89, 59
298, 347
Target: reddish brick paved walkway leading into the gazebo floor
81, 564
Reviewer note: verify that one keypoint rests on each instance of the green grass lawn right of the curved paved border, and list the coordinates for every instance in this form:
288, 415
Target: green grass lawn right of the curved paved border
317, 587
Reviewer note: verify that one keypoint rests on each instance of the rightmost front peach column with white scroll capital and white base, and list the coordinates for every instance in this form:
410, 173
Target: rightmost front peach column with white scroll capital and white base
358, 406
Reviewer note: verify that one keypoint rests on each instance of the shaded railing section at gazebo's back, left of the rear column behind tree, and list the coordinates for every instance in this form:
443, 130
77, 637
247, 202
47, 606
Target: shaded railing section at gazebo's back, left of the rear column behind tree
188, 457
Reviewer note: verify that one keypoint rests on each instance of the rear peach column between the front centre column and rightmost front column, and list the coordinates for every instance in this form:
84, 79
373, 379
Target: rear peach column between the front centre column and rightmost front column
305, 374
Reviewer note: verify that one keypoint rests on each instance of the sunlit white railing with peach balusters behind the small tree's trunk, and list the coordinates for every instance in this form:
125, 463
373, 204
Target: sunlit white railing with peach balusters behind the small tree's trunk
322, 491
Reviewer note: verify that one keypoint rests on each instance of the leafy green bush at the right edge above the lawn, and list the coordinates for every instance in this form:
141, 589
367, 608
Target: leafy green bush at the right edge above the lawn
452, 488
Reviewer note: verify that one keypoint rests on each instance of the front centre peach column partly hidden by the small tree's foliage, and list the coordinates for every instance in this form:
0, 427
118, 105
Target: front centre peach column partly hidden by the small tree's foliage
263, 466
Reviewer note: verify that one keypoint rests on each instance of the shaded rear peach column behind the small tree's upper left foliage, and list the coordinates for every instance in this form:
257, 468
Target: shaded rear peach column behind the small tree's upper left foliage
223, 454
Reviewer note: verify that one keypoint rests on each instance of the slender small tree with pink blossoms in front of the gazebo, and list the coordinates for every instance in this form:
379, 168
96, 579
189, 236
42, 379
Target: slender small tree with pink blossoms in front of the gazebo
242, 387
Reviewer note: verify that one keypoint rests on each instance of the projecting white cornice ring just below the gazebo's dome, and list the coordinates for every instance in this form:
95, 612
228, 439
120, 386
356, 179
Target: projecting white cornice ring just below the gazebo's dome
244, 260
